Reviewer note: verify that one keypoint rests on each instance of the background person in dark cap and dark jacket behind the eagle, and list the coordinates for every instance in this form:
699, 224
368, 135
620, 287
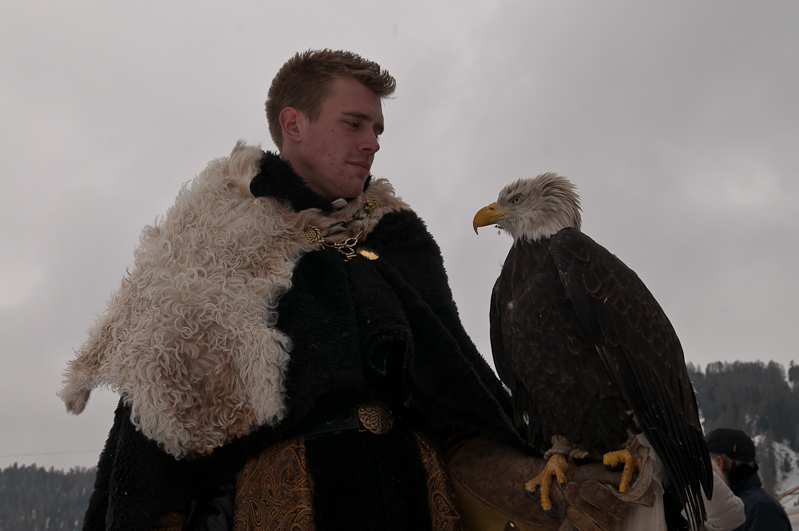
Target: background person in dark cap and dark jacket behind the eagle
733, 455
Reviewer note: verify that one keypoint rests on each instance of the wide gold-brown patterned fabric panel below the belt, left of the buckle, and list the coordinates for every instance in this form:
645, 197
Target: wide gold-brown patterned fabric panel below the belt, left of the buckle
274, 491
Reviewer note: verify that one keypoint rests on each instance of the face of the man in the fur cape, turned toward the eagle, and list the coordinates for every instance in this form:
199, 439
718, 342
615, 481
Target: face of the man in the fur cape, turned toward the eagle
335, 152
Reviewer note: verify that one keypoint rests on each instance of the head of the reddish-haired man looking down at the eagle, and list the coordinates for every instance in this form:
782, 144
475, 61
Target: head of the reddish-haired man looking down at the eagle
325, 115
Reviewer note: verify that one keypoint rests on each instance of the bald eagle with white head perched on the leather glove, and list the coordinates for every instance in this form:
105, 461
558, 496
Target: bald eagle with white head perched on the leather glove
587, 352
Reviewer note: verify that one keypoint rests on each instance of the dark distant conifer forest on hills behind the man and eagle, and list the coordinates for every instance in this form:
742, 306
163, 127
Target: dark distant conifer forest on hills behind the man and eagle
753, 396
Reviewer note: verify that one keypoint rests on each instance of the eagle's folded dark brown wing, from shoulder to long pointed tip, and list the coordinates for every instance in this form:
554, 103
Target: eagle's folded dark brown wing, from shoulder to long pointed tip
642, 353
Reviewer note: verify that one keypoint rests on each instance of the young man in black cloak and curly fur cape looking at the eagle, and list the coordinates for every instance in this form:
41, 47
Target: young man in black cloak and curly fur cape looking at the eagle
287, 347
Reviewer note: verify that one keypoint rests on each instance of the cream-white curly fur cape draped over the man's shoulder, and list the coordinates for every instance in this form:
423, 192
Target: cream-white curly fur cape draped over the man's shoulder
188, 339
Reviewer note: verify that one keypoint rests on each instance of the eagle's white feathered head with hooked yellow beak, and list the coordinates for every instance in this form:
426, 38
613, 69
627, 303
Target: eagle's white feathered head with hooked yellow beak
533, 208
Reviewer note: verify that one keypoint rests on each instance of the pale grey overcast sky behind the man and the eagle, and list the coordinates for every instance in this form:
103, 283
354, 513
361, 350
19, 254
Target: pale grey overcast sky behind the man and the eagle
678, 121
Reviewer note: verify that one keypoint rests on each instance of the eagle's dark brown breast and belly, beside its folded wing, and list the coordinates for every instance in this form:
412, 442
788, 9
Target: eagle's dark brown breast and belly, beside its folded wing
565, 388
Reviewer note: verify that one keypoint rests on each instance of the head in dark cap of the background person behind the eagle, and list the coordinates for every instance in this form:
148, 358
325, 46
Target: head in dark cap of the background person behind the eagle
732, 453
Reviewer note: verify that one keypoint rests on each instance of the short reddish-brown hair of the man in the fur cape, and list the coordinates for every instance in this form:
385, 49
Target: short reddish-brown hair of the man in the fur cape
304, 81
